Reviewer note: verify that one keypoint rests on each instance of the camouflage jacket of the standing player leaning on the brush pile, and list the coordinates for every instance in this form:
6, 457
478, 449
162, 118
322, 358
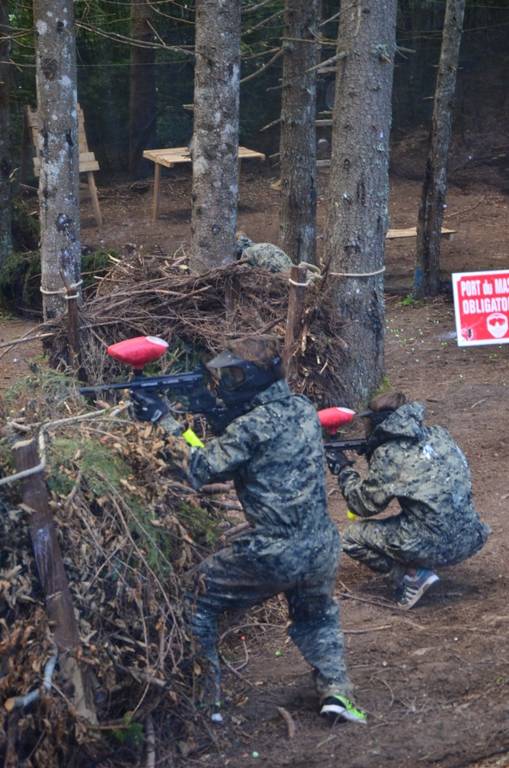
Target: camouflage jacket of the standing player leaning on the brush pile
274, 454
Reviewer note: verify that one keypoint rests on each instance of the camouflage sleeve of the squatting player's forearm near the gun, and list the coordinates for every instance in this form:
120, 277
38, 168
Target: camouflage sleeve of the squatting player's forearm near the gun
369, 496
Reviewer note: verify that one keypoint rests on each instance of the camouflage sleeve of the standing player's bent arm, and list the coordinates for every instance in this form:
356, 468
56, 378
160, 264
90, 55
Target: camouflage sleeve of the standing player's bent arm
223, 455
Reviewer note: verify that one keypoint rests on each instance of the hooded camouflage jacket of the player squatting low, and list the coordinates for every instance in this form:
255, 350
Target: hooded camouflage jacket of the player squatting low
422, 468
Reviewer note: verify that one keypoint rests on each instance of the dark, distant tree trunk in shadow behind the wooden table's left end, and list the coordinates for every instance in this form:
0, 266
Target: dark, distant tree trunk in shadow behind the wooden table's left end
142, 87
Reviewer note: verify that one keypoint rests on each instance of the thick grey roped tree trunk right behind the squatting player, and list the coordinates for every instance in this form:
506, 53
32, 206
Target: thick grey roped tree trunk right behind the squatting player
359, 189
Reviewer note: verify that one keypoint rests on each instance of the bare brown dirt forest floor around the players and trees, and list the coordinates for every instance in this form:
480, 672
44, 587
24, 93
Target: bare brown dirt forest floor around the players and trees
435, 681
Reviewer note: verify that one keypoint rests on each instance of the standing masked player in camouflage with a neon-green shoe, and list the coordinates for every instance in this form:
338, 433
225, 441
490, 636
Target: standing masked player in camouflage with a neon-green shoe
270, 445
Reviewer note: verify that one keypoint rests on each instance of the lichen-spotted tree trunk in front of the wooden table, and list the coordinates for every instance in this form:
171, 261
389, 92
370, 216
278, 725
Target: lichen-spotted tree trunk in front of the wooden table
216, 133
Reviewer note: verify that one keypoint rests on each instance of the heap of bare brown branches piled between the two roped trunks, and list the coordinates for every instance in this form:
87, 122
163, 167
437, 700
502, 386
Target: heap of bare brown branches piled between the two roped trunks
197, 314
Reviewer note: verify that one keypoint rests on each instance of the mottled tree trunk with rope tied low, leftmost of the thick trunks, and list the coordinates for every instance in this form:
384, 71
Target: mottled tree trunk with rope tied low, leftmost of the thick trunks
58, 151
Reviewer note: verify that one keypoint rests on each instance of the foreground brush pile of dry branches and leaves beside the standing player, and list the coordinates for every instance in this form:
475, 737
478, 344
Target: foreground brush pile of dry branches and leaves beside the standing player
128, 530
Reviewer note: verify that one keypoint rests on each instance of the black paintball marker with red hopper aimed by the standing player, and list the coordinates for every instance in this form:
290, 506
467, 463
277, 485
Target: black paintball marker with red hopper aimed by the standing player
191, 387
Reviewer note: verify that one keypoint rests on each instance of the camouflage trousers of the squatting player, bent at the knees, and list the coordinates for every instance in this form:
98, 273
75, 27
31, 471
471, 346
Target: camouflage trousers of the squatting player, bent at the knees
382, 544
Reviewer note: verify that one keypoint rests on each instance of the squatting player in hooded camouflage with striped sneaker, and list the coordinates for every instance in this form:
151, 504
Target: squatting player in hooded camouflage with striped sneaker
426, 472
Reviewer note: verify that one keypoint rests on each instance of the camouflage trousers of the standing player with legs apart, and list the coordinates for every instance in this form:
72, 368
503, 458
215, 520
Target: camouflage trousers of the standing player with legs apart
256, 568
